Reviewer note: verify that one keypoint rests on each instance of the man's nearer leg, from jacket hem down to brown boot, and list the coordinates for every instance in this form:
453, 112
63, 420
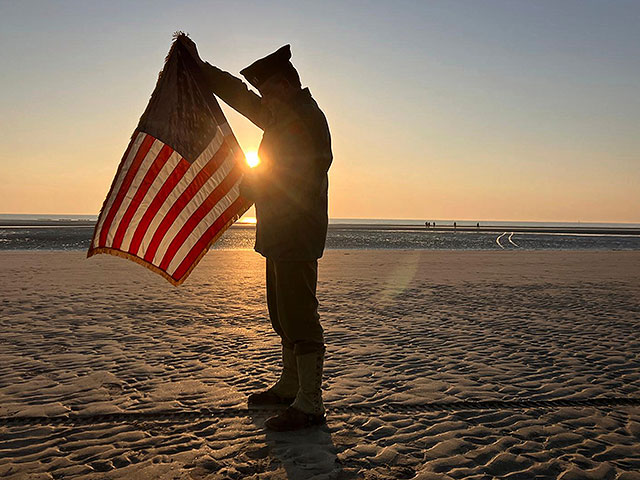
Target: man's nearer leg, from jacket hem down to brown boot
298, 317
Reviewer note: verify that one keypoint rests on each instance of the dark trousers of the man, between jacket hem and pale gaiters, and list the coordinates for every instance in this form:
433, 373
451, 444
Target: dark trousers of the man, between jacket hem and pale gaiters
293, 306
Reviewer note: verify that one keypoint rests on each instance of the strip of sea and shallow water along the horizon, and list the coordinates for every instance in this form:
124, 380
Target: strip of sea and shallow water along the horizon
74, 232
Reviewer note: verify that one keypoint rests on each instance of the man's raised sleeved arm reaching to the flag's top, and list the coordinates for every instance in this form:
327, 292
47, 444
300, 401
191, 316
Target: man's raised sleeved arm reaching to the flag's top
235, 93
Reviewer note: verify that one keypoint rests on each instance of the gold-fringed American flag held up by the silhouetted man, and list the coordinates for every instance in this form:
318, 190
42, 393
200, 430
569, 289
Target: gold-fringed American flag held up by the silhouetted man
177, 187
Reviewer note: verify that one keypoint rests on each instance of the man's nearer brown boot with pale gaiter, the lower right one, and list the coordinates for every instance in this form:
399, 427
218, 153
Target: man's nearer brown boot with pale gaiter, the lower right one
307, 410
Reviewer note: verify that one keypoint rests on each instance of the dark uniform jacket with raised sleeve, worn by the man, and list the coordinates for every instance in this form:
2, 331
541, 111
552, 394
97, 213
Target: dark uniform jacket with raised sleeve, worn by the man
289, 186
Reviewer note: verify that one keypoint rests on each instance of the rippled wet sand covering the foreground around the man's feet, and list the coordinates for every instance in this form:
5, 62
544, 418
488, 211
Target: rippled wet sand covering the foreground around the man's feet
84, 337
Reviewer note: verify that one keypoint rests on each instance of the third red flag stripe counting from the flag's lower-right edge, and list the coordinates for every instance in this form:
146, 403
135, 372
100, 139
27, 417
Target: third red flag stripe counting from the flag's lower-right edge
193, 188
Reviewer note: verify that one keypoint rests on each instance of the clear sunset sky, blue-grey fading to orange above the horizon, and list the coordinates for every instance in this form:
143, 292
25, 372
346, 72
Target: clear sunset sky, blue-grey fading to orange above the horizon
488, 110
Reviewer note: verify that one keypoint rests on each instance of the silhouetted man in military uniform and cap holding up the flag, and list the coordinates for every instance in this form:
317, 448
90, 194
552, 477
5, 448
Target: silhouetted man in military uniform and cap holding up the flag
289, 189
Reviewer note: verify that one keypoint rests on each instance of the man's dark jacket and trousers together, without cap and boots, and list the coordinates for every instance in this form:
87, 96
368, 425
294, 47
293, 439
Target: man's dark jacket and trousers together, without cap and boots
289, 188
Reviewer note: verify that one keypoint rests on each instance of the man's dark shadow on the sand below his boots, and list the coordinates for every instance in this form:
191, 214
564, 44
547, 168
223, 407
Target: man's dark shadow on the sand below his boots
303, 454
